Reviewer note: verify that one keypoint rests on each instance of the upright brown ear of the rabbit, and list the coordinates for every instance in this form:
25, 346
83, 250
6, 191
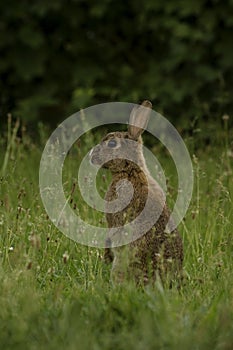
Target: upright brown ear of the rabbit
139, 118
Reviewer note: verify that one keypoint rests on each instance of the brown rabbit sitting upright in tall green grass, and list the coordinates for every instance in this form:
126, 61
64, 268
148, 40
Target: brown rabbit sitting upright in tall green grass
156, 253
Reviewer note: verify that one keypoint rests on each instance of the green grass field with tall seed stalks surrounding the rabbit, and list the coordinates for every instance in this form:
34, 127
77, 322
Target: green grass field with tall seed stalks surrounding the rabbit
57, 294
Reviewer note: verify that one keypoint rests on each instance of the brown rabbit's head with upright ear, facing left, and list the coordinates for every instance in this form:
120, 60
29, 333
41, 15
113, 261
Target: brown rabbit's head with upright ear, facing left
120, 151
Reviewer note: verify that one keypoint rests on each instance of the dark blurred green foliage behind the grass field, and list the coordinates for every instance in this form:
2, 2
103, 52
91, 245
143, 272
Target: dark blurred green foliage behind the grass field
60, 56
